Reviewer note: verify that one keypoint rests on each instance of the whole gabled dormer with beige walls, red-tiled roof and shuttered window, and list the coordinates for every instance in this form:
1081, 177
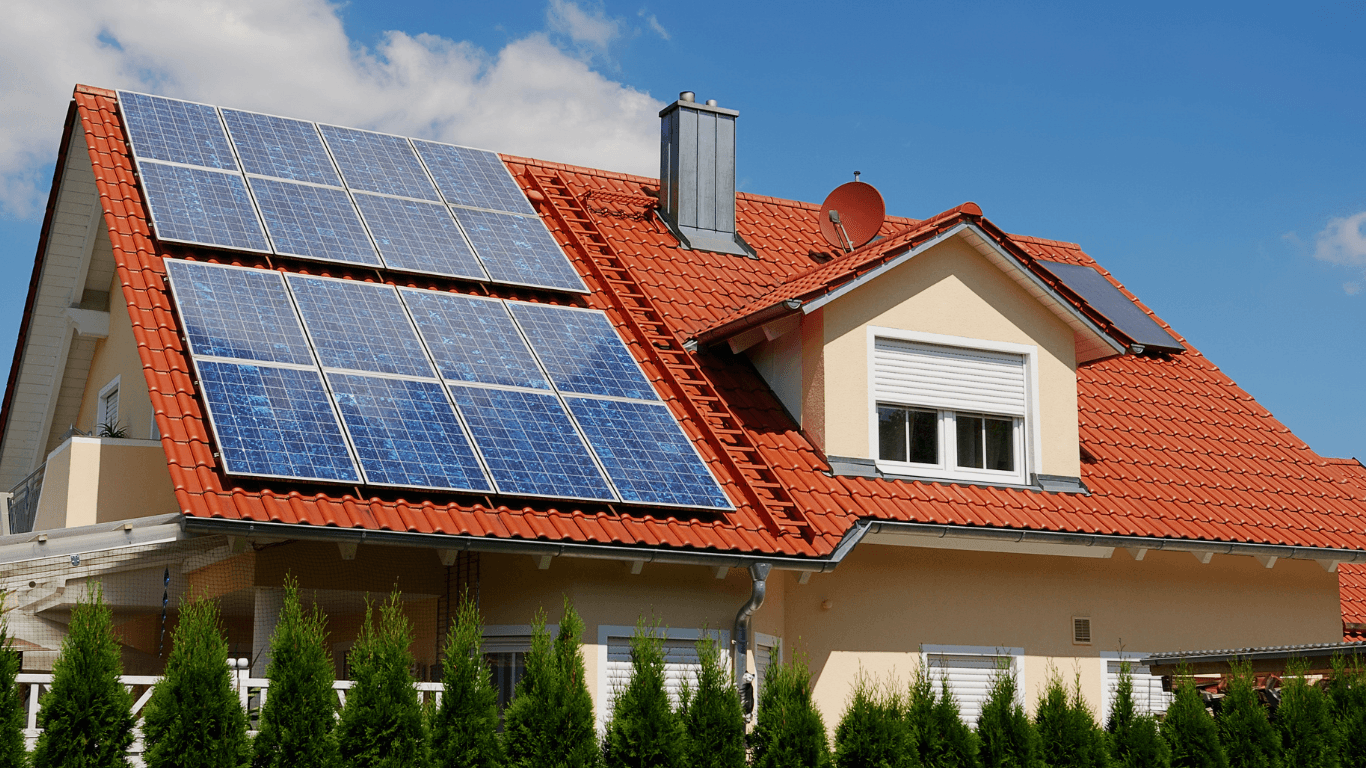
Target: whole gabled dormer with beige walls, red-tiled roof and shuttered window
942, 353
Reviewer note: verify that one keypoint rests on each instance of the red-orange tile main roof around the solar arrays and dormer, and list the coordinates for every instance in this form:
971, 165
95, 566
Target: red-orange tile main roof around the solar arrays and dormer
1175, 449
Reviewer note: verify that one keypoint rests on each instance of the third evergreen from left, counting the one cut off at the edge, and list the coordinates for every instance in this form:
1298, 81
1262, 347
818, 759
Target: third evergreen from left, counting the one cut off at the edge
195, 718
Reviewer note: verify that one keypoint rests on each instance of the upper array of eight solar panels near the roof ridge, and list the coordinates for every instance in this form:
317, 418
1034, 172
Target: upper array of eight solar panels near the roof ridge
242, 181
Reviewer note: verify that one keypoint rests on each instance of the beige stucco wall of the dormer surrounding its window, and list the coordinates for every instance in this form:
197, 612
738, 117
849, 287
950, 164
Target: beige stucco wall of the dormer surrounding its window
949, 290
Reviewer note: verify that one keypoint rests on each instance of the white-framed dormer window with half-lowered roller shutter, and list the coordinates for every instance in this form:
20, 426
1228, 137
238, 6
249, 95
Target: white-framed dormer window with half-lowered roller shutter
942, 408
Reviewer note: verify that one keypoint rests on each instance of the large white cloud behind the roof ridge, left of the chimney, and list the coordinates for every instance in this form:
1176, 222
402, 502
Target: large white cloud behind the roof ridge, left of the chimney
294, 58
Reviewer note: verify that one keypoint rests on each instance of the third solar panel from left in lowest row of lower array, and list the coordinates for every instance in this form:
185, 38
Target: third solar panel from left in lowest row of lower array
529, 445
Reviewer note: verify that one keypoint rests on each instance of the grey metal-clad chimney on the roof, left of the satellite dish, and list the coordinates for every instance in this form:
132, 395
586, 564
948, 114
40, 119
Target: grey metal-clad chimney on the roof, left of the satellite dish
697, 176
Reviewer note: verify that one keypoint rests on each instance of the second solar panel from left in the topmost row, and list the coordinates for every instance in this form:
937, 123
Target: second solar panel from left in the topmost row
281, 147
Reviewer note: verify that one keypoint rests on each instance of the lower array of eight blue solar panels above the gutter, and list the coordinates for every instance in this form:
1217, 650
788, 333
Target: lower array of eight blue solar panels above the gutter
339, 381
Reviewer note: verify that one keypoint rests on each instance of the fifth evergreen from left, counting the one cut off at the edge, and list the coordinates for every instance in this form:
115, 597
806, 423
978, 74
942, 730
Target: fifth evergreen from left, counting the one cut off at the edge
382, 724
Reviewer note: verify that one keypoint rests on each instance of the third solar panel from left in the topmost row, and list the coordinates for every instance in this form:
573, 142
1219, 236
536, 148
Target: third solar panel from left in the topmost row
379, 163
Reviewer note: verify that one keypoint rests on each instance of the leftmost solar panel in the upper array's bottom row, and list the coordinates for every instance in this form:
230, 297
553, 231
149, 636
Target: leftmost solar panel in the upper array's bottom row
201, 207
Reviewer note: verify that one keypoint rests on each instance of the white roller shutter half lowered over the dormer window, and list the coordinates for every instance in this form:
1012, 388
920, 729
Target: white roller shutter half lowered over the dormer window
949, 378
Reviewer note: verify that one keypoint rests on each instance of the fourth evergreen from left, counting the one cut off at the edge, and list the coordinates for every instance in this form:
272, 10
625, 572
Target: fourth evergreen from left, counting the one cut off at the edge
300, 715
